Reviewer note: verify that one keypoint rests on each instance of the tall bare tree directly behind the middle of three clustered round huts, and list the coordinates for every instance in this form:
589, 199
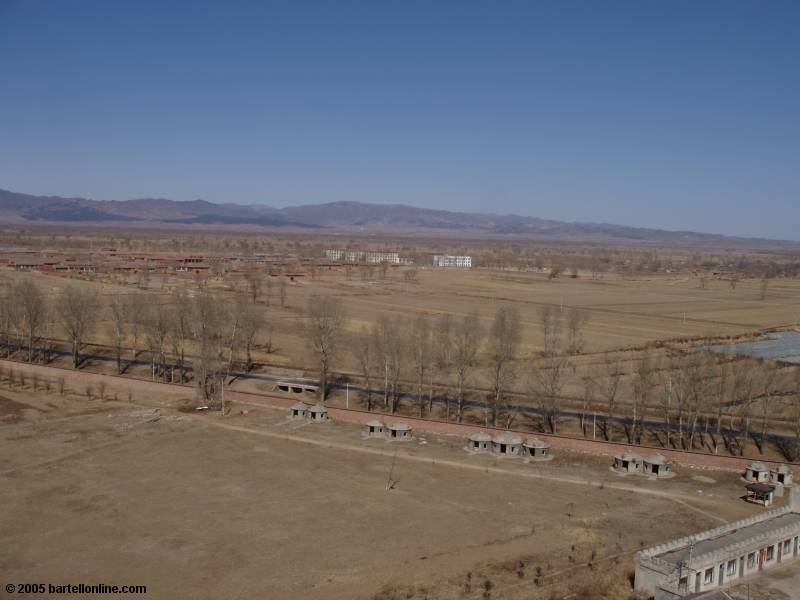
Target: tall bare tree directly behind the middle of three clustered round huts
503, 346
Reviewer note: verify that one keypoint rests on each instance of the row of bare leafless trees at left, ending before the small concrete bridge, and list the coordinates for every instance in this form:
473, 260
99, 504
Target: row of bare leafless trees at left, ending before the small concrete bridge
218, 335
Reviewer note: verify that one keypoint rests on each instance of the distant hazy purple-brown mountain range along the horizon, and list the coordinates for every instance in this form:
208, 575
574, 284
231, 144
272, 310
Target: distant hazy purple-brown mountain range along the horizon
17, 208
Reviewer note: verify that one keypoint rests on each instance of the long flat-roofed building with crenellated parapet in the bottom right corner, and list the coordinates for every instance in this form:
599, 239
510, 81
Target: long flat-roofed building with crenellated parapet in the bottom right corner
720, 557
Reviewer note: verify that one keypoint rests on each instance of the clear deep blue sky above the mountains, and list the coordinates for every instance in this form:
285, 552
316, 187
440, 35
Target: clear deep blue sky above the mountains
672, 114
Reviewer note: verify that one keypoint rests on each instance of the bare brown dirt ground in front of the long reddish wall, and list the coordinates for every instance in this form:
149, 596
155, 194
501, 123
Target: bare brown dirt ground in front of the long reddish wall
251, 505
